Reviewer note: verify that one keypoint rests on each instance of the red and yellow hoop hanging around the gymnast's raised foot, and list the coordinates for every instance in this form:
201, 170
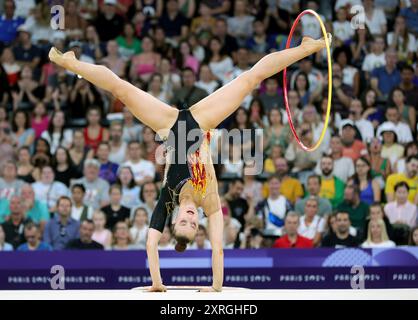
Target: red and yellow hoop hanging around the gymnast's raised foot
289, 114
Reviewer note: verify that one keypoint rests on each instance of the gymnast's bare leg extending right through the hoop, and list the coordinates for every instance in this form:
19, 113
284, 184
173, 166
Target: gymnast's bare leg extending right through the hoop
215, 108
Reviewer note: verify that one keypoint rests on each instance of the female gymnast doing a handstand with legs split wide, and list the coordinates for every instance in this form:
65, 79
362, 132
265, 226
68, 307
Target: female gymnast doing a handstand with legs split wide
190, 183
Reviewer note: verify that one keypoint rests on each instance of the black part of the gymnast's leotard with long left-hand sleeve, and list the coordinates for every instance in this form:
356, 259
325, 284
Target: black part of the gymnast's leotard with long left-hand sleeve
179, 170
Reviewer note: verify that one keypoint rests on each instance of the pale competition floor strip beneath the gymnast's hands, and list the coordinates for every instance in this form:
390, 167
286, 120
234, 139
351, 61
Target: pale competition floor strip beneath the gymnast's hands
191, 293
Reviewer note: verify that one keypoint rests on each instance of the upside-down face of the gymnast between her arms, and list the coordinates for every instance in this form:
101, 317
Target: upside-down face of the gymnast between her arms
186, 222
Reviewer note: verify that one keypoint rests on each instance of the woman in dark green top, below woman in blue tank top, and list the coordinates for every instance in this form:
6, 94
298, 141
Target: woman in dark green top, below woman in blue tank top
352, 204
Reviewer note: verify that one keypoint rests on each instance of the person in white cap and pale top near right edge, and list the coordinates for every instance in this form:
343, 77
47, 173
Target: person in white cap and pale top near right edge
391, 149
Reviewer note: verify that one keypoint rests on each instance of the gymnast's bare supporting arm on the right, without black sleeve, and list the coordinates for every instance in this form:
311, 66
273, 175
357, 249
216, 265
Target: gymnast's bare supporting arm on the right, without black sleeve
216, 227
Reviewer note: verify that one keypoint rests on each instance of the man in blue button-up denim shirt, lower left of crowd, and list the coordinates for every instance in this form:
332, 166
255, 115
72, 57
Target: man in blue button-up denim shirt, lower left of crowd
61, 229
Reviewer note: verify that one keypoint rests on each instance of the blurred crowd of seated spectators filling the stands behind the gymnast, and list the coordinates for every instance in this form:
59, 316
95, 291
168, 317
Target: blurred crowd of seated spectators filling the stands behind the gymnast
78, 171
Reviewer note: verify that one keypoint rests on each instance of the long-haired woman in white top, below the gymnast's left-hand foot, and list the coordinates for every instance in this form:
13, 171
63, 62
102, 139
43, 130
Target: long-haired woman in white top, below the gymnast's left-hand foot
57, 133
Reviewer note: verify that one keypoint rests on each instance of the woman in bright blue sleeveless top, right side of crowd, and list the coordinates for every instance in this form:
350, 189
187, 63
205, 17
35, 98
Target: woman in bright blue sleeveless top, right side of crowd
370, 191
